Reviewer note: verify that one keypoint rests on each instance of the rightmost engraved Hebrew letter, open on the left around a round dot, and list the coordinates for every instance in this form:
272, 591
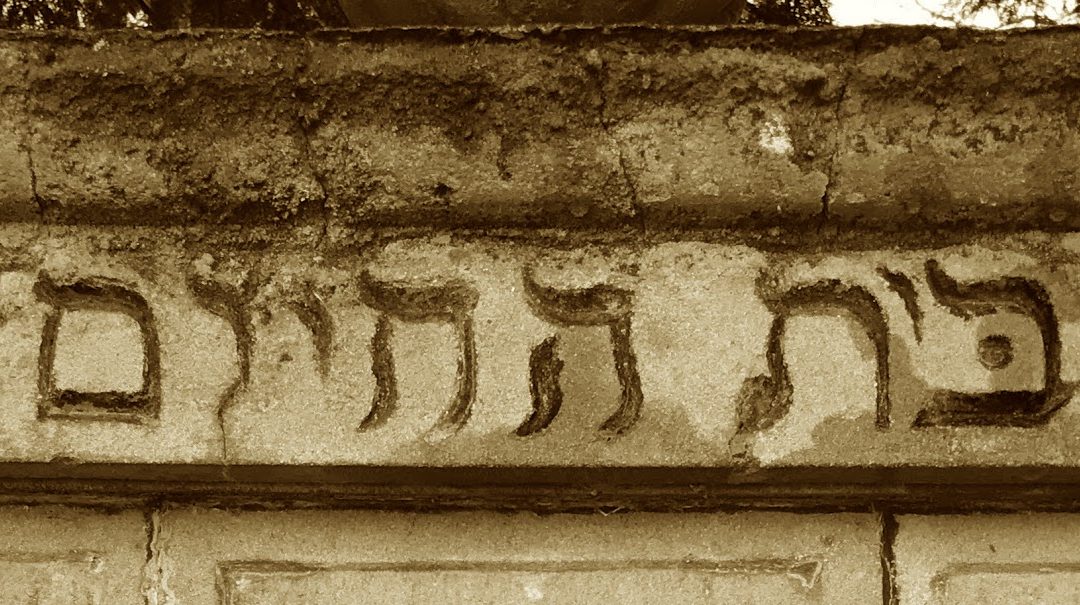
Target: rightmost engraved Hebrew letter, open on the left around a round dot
1007, 408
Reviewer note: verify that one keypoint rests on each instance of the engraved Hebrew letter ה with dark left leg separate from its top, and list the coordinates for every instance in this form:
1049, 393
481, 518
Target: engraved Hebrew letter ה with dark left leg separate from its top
599, 305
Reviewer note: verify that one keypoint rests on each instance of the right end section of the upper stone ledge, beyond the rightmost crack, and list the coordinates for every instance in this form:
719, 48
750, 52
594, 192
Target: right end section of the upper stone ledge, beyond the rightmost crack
935, 131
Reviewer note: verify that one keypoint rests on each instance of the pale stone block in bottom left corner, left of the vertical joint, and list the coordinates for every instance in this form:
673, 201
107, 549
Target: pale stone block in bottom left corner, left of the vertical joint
53, 556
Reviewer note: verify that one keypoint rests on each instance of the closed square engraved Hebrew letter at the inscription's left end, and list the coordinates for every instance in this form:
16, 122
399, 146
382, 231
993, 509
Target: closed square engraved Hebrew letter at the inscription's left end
98, 294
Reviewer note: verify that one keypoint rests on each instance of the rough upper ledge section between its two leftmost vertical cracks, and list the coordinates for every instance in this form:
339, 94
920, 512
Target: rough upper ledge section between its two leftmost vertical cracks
104, 154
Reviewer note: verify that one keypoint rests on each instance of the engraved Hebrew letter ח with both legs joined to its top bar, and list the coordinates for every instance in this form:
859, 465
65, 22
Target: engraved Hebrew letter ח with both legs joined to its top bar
453, 303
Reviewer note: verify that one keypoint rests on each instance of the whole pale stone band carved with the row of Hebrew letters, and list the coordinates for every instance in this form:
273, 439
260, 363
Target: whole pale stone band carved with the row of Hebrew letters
417, 351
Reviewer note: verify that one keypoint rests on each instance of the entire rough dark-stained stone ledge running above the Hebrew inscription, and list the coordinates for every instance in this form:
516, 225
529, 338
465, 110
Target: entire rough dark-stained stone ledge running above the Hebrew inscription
874, 128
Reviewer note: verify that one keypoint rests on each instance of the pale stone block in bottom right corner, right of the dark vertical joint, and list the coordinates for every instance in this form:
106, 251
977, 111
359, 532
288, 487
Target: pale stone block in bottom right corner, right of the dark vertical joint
989, 559
